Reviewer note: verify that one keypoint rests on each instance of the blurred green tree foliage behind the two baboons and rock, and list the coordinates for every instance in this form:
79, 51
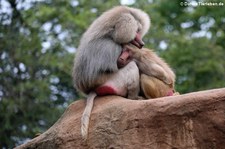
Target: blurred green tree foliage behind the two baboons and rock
38, 40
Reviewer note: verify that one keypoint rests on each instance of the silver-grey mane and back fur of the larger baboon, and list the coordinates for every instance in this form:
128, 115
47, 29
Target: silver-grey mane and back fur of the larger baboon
100, 45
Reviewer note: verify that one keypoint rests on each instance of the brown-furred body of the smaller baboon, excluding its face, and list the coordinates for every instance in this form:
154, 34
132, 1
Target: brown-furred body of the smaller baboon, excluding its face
157, 78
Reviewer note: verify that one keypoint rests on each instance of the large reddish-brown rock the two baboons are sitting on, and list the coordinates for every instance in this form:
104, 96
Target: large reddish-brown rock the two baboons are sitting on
195, 120
